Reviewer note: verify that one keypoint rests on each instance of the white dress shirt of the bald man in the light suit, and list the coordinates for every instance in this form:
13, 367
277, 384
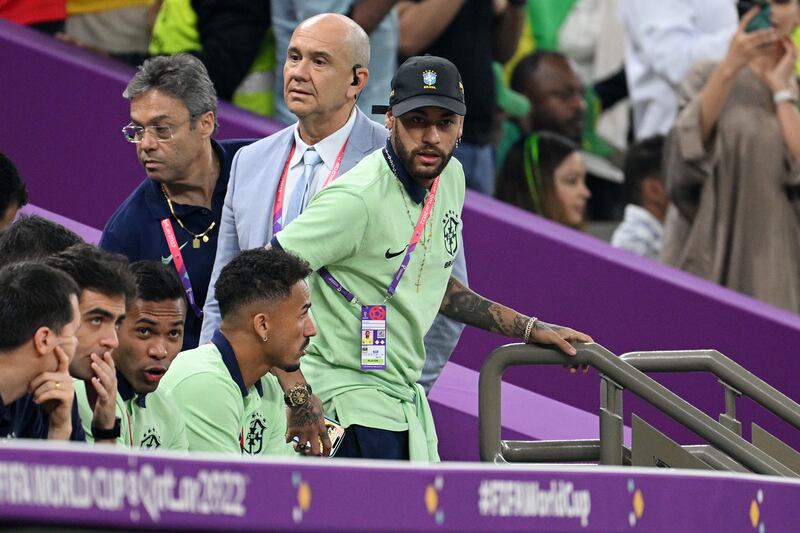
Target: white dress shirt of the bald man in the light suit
328, 149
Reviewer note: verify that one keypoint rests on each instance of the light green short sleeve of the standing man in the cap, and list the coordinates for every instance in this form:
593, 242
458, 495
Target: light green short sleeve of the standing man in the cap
330, 229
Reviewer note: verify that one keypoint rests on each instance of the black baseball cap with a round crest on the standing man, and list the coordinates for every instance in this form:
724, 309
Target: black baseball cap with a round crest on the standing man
425, 81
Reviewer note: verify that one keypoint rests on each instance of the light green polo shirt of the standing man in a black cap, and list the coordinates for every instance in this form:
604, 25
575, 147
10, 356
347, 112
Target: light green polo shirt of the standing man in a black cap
349, 227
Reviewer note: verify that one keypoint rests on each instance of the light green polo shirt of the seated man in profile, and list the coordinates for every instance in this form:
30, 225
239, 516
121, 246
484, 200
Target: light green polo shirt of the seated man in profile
217, 415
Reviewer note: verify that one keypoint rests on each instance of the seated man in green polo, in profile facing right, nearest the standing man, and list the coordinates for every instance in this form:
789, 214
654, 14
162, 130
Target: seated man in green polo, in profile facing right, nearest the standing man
229, 399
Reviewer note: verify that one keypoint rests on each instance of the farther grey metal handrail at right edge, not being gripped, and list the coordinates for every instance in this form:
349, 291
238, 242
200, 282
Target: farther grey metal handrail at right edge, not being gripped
735, 380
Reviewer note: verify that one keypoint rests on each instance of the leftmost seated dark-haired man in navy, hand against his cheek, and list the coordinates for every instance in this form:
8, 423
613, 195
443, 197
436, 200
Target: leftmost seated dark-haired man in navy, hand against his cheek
38, 320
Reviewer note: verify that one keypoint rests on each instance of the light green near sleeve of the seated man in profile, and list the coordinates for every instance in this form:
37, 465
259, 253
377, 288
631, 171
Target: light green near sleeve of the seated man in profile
212, 410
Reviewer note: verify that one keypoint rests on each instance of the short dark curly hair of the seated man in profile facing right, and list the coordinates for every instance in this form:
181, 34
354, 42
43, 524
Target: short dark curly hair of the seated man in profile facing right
256, 275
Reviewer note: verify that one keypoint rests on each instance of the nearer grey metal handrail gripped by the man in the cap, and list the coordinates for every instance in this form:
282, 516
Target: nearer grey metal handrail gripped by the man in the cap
623, 375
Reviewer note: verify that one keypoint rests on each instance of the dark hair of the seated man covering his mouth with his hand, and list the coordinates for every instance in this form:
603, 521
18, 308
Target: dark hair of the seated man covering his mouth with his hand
95, 270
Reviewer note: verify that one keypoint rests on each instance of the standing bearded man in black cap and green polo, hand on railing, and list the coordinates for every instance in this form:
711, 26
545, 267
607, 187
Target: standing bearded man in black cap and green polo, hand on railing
382, 240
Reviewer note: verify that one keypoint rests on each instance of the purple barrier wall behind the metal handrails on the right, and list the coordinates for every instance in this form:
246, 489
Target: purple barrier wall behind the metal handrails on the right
626, 303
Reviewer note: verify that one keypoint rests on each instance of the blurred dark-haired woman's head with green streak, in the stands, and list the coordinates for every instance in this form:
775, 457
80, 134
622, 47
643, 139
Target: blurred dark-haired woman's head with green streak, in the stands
546, 175
